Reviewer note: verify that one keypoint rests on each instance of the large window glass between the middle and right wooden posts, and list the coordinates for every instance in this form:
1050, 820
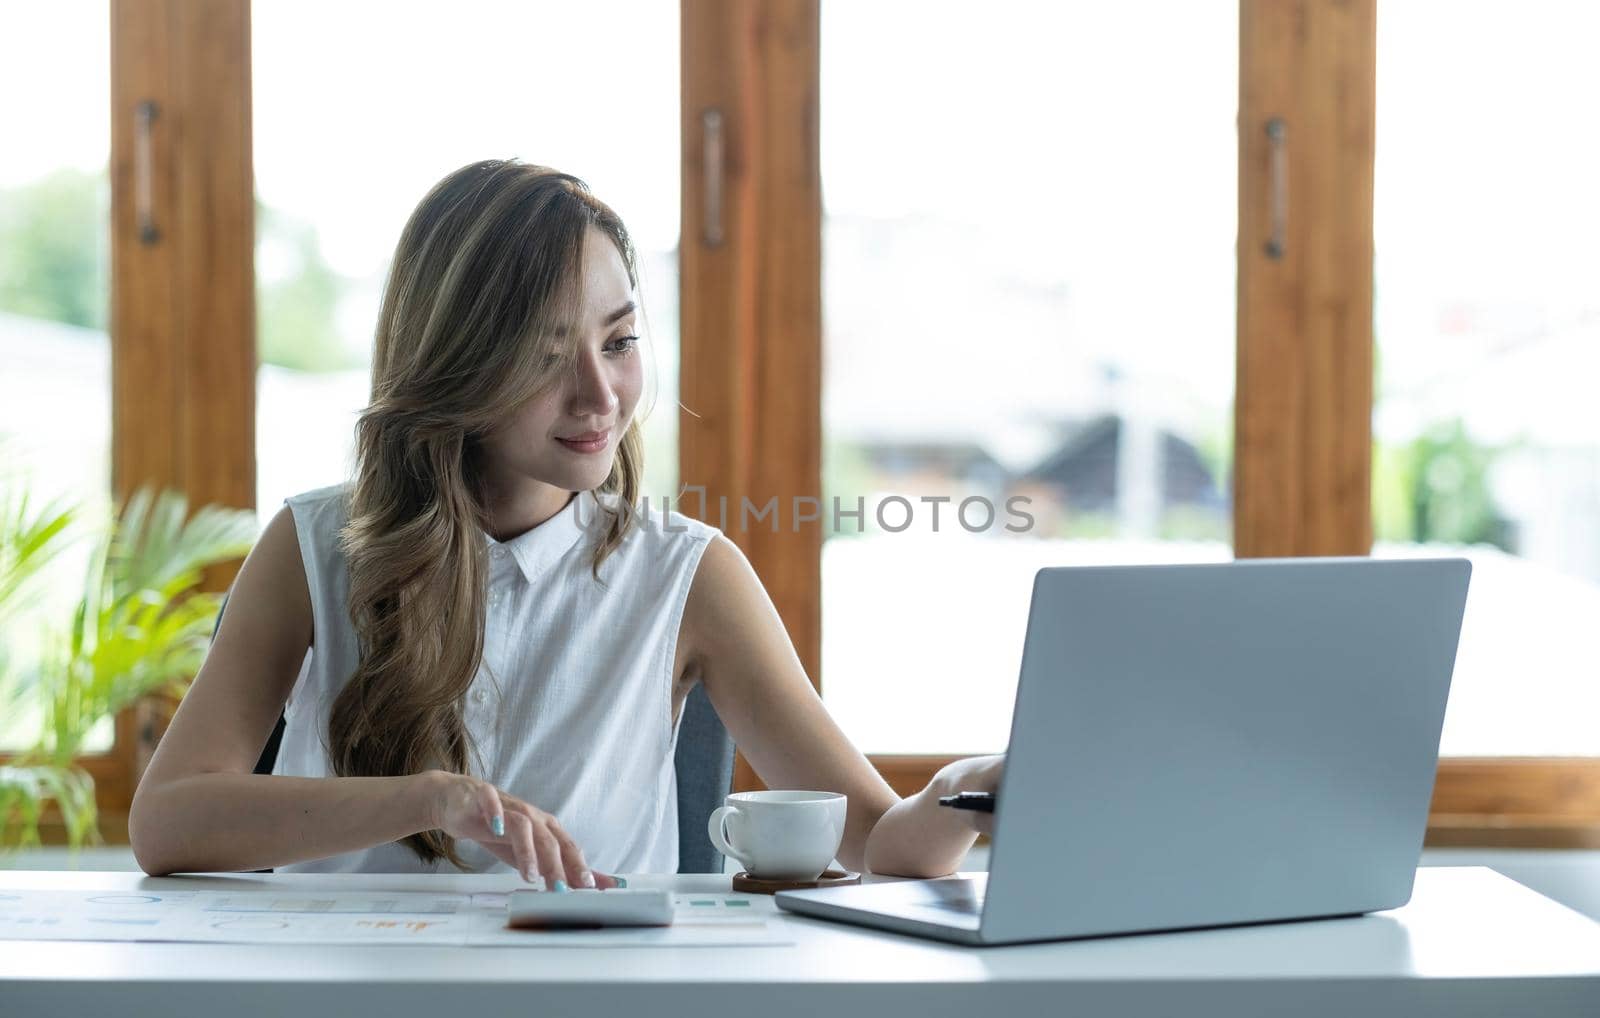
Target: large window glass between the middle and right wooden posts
1028, 295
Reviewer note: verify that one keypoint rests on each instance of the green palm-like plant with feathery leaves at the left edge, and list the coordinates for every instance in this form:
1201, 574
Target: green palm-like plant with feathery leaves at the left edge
142, 627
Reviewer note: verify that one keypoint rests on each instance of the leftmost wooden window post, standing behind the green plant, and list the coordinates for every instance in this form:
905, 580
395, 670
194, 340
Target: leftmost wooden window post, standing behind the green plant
183, 319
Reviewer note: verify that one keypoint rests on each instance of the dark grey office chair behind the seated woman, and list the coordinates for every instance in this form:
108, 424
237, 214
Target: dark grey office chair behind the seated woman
703, 761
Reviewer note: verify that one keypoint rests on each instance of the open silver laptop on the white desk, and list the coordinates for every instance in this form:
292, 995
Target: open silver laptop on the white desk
1204, 745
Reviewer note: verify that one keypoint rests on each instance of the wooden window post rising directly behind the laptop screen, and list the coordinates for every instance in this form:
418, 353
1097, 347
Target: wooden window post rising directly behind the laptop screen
1303, 420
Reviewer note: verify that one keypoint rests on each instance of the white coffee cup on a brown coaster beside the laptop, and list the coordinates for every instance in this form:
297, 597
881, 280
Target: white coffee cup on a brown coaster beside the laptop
780, 835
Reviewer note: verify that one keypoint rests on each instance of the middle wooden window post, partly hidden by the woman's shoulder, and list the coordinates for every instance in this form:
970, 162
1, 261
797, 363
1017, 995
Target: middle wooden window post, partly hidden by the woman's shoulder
751, 276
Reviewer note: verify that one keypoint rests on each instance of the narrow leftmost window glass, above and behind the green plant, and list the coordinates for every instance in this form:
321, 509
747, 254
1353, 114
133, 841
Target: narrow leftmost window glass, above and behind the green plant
55, 299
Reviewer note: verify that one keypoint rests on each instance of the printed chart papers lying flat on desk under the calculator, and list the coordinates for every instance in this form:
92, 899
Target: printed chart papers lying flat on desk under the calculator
722, 920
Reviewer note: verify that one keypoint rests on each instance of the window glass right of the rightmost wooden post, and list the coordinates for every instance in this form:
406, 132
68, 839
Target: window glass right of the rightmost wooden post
1487, 315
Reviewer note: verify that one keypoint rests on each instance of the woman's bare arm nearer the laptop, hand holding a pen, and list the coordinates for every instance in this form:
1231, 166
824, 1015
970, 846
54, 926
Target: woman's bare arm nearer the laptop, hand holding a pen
742, 652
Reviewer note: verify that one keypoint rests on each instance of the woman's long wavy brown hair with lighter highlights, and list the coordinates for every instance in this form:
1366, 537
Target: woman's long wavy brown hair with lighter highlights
489, 270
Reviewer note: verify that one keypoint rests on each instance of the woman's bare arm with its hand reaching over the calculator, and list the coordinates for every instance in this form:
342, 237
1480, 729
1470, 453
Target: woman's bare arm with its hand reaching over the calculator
199, 808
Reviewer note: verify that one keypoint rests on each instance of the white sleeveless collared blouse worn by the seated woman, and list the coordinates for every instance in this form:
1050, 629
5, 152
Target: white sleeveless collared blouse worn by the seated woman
572, 708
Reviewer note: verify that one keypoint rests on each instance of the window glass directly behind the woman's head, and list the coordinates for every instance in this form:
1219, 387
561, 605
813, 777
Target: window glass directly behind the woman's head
358, 116
